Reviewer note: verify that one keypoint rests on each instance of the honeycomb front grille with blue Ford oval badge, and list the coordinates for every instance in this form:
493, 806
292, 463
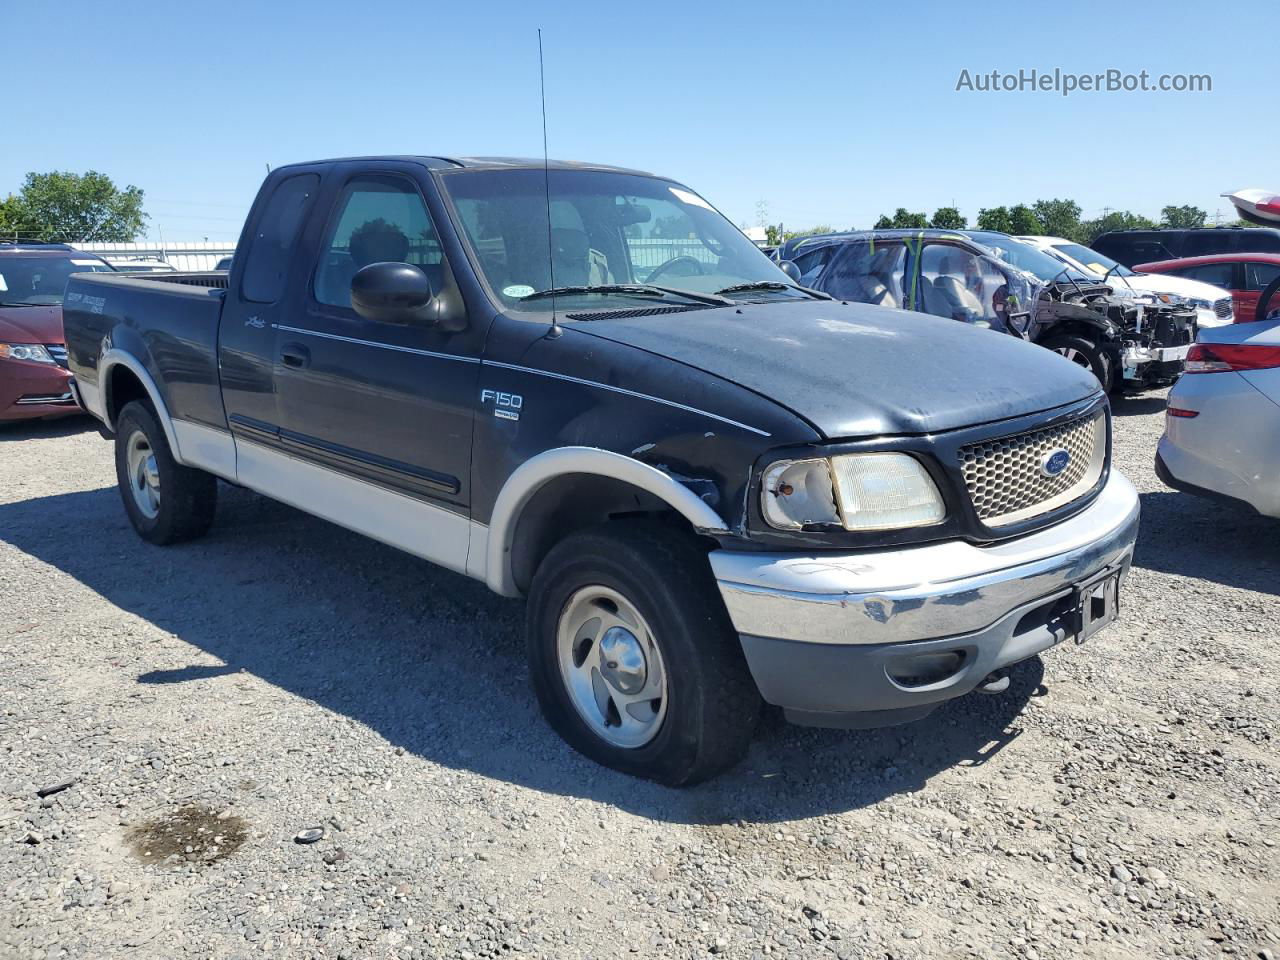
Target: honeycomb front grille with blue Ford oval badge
1007, 477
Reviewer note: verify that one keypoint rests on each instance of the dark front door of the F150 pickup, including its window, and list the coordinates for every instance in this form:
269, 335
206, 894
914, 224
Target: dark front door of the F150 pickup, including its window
380, 403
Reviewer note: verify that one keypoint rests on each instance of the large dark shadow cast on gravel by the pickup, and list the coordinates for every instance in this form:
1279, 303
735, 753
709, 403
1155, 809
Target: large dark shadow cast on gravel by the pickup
435, 664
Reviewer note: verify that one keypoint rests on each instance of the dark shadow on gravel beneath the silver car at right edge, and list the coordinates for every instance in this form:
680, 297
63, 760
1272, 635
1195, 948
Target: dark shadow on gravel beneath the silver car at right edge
1208, 540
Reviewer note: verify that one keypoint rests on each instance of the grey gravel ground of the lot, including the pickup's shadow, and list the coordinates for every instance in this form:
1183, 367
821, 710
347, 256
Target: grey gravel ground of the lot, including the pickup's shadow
211, 702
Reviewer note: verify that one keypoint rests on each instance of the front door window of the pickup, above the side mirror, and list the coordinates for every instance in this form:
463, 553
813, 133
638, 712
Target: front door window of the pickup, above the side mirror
380, 220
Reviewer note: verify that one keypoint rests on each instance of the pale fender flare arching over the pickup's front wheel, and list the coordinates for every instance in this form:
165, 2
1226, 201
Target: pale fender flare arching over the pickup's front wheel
563, 461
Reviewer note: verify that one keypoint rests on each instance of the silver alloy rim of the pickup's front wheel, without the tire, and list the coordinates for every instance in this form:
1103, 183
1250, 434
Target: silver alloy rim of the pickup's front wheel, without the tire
612, 668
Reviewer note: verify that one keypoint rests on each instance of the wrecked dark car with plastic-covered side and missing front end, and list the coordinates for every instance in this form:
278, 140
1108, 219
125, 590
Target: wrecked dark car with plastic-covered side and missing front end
994, 281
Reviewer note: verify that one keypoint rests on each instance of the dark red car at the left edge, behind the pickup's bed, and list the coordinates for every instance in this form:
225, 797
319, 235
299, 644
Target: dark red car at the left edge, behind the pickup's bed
34, 378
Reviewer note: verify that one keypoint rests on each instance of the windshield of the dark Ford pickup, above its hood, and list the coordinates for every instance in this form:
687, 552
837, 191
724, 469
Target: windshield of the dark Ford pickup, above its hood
607, 230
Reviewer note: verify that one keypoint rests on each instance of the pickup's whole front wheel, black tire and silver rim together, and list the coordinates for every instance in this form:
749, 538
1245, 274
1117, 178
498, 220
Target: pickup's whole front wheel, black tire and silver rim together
633, 656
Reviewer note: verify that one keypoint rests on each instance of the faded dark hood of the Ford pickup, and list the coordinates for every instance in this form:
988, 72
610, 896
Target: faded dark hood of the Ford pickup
860, 371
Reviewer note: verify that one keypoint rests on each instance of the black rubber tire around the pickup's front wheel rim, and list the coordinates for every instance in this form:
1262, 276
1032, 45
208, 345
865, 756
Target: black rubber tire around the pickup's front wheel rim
712, 705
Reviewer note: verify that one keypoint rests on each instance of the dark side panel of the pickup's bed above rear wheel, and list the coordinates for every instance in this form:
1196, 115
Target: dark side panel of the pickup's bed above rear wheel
170, 322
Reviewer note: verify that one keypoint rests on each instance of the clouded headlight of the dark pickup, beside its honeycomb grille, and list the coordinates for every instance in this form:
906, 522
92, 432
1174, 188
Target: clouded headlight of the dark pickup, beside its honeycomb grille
856, 491
